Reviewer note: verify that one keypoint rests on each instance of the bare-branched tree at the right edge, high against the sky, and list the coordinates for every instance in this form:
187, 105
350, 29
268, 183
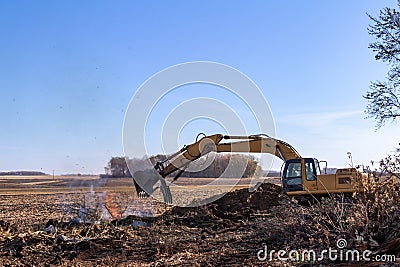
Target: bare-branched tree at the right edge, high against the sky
384, 97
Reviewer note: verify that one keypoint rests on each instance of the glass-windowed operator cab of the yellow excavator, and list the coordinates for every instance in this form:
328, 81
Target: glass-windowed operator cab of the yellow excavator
292, 176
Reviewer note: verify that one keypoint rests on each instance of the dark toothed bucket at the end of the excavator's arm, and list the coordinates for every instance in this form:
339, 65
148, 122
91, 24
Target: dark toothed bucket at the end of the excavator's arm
148, 181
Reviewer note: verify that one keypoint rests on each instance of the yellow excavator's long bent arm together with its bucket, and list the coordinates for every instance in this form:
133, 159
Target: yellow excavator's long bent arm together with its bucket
145, 181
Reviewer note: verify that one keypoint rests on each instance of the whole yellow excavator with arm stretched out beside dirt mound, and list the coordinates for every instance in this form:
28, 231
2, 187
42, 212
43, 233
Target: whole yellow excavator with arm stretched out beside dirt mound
300, 176
